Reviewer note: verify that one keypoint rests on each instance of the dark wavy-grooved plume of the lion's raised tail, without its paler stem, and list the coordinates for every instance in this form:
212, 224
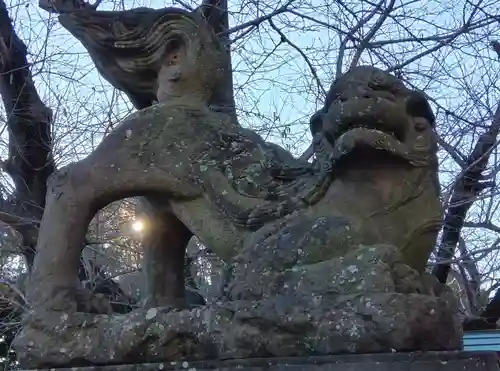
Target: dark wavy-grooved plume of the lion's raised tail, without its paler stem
127, 46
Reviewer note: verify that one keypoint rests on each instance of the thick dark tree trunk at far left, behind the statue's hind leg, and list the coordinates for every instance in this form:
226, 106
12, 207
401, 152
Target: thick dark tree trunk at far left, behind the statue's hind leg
29, 120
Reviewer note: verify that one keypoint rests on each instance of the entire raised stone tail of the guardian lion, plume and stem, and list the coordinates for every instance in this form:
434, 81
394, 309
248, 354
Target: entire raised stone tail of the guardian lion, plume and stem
135, 50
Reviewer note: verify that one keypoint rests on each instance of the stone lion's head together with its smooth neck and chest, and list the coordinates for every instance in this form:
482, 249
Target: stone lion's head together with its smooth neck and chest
376, 131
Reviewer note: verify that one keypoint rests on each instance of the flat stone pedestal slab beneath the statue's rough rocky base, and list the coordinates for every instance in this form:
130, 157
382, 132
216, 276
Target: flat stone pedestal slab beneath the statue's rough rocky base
417, 361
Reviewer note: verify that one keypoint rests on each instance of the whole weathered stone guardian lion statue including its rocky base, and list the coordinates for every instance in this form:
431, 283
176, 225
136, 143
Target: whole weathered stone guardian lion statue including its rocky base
326, 257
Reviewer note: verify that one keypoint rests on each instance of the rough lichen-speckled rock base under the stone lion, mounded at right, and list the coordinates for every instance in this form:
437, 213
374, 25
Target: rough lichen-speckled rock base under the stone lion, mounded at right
367, 301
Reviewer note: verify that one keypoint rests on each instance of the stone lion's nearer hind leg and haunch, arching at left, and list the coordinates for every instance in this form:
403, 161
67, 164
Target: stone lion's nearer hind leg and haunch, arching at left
75, 194
